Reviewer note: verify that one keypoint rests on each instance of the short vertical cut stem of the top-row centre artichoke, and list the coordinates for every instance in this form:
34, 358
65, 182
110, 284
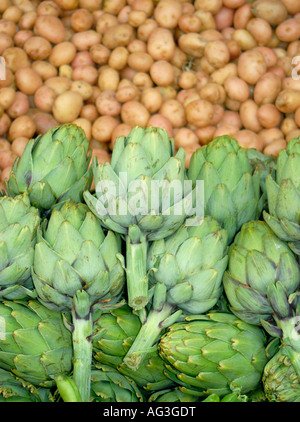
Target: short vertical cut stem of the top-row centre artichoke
136, 271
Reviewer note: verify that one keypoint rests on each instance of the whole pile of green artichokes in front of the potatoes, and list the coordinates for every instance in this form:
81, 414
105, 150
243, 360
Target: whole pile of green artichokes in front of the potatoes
113, 288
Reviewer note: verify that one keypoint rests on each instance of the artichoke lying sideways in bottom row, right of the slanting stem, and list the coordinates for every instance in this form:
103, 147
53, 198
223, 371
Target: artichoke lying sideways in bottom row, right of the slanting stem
214, 353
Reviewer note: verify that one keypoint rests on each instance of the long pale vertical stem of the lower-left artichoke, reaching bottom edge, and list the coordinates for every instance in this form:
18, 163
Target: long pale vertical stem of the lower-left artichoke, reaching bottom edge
82, 345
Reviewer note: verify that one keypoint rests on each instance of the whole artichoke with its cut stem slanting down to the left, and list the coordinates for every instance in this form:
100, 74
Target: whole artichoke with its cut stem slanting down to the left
187, 271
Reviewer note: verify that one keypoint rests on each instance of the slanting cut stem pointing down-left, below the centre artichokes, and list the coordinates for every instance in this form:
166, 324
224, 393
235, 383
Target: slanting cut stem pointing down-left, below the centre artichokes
147, 336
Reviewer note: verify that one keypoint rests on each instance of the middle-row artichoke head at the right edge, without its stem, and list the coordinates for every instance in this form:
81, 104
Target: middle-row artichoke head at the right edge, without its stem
258, 259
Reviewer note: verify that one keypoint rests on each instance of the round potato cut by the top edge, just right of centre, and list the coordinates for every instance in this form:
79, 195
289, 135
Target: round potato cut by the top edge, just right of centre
167, 13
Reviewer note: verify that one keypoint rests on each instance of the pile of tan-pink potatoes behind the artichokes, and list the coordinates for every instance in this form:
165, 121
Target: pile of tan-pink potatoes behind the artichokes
200, 69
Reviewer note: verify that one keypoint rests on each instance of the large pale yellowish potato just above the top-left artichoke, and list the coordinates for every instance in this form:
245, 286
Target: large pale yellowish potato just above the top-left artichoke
67, 106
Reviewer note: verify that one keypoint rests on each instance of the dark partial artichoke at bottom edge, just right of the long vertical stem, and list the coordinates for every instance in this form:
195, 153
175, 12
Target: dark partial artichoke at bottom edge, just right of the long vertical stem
108, 385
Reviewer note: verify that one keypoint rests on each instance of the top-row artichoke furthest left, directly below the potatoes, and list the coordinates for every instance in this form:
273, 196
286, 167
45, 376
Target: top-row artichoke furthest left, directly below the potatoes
53, 168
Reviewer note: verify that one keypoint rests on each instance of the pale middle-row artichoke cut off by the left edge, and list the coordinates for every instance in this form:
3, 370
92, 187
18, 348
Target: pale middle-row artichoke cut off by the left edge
18, 226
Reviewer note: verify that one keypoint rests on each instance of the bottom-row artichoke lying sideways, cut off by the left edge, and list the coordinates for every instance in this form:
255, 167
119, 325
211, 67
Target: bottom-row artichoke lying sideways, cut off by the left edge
34, 343
